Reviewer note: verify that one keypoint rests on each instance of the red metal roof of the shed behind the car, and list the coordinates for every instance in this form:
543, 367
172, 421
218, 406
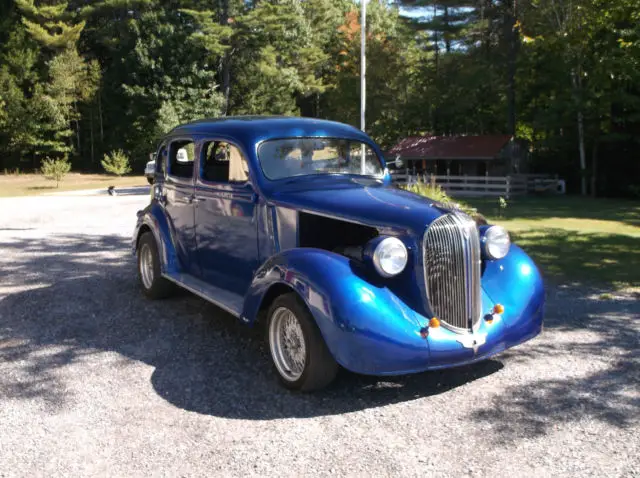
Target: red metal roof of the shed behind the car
450, 147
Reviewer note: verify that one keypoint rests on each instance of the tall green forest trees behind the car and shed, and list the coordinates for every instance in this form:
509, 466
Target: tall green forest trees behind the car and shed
81, 78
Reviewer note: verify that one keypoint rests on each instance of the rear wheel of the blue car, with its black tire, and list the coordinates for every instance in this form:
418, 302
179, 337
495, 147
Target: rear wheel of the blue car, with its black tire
150, 277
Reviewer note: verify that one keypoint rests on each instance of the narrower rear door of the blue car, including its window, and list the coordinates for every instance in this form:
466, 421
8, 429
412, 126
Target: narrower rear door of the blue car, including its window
178, 200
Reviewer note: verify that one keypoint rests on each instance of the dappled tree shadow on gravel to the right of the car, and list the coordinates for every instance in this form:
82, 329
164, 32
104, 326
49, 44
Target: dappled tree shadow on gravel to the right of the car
602, 336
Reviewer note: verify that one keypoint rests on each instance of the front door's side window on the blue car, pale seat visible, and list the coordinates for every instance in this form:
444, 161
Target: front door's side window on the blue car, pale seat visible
223, 163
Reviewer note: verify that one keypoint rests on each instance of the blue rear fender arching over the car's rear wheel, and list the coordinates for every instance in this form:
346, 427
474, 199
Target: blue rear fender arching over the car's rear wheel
155, 219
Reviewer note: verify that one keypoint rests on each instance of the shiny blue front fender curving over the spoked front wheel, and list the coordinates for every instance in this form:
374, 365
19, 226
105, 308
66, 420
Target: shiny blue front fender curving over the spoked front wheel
367, 328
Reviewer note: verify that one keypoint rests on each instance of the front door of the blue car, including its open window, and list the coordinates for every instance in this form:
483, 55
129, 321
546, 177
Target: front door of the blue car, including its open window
226, 225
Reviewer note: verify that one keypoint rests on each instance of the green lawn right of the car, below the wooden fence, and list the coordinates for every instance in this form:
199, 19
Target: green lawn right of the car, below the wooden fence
579, 240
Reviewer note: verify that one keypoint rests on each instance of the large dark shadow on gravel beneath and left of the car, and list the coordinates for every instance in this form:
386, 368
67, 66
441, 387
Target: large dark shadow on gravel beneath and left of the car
204, 359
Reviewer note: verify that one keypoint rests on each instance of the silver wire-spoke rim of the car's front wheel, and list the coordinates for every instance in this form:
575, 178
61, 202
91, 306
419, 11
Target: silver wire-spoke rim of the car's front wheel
287, 344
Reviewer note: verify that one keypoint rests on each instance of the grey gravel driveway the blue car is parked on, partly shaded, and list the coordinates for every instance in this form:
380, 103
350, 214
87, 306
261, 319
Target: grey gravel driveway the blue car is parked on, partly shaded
97, 380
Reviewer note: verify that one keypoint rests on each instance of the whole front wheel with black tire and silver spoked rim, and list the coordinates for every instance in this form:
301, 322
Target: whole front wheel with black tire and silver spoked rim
299, 353
